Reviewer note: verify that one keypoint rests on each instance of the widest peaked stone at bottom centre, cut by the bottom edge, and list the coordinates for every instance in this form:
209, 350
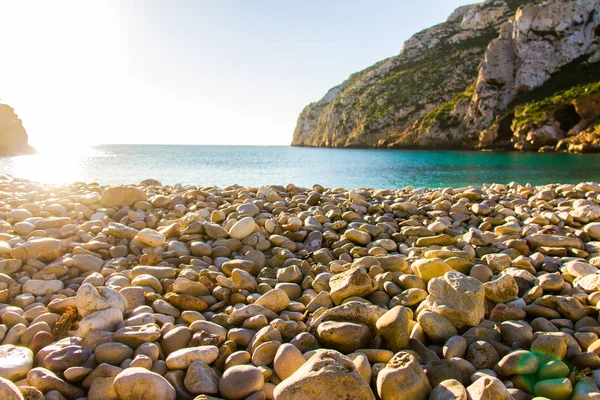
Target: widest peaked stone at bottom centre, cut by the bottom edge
327, 375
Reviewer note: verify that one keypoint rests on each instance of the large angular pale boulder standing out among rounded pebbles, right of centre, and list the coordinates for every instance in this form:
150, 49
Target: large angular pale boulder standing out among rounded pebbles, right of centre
457, 297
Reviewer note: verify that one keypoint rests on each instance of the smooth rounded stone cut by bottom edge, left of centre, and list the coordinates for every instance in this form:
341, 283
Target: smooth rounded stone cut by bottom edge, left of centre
140, 384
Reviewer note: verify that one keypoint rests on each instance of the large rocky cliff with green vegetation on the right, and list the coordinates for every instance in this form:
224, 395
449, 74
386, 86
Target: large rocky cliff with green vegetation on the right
499, 74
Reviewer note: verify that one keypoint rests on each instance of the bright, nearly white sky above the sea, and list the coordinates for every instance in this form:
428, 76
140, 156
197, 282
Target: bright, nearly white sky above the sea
189, 71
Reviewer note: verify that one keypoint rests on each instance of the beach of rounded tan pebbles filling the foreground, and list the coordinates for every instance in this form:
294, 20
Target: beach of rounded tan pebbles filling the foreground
151, 291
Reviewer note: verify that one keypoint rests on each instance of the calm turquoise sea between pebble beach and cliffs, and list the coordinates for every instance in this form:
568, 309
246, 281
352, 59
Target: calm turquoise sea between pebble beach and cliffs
253, 166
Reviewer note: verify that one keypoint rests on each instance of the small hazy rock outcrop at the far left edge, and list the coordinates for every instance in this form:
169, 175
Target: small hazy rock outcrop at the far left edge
13, 138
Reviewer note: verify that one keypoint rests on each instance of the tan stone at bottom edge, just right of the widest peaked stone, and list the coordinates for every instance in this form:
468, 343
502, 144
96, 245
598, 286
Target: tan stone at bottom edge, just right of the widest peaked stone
403, 378
